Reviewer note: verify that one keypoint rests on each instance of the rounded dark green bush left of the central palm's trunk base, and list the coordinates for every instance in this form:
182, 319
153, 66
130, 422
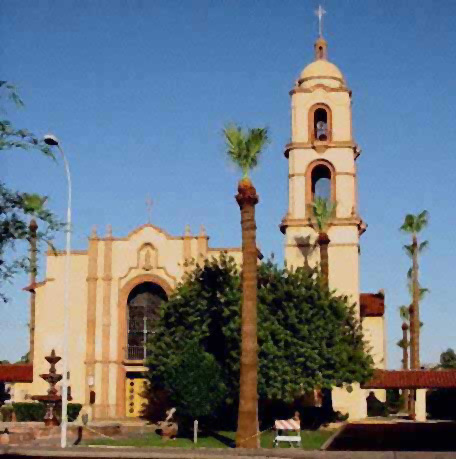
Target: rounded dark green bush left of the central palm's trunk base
195, 383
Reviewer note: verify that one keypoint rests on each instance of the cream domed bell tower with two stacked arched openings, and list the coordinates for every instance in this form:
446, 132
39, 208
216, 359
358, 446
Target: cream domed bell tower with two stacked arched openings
322, 163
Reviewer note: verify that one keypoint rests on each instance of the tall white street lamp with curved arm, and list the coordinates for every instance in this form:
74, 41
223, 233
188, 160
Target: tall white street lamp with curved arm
52, 140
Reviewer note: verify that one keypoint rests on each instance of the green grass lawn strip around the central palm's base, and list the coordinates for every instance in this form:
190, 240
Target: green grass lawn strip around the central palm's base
310, 440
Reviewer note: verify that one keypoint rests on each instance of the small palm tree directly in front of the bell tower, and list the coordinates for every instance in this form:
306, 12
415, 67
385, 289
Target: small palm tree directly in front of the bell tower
323, 211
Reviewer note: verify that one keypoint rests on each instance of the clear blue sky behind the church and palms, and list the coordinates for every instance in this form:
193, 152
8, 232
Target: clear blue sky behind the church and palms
138, 92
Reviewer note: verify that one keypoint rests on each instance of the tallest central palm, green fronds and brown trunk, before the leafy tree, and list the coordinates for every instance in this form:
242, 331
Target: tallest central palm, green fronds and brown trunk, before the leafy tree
244, 149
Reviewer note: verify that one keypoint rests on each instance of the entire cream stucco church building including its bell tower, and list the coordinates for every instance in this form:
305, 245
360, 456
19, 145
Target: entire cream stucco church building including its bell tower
118, 283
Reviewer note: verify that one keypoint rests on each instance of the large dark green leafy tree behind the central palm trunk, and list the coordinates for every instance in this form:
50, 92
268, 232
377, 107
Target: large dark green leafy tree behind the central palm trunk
308, 336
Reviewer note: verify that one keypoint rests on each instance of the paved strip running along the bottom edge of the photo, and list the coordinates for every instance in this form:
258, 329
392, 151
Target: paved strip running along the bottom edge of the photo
179, 453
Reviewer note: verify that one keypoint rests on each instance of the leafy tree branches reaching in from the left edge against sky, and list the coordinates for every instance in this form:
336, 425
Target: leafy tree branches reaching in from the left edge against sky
17, 207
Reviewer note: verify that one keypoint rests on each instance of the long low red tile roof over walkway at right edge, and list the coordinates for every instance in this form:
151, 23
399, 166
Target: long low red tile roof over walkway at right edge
412, 379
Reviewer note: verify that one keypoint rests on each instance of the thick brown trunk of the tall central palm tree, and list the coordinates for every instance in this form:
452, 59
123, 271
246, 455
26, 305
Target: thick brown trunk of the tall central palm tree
247, 431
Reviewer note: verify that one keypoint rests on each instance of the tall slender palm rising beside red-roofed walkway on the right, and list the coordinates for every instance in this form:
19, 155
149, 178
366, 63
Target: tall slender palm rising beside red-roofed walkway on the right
413, 225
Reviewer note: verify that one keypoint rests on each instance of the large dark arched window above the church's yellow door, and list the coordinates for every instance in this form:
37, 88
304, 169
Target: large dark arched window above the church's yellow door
143, 306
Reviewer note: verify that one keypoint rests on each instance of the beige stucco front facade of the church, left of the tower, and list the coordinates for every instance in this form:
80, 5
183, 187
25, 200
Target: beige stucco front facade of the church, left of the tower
101, 279
